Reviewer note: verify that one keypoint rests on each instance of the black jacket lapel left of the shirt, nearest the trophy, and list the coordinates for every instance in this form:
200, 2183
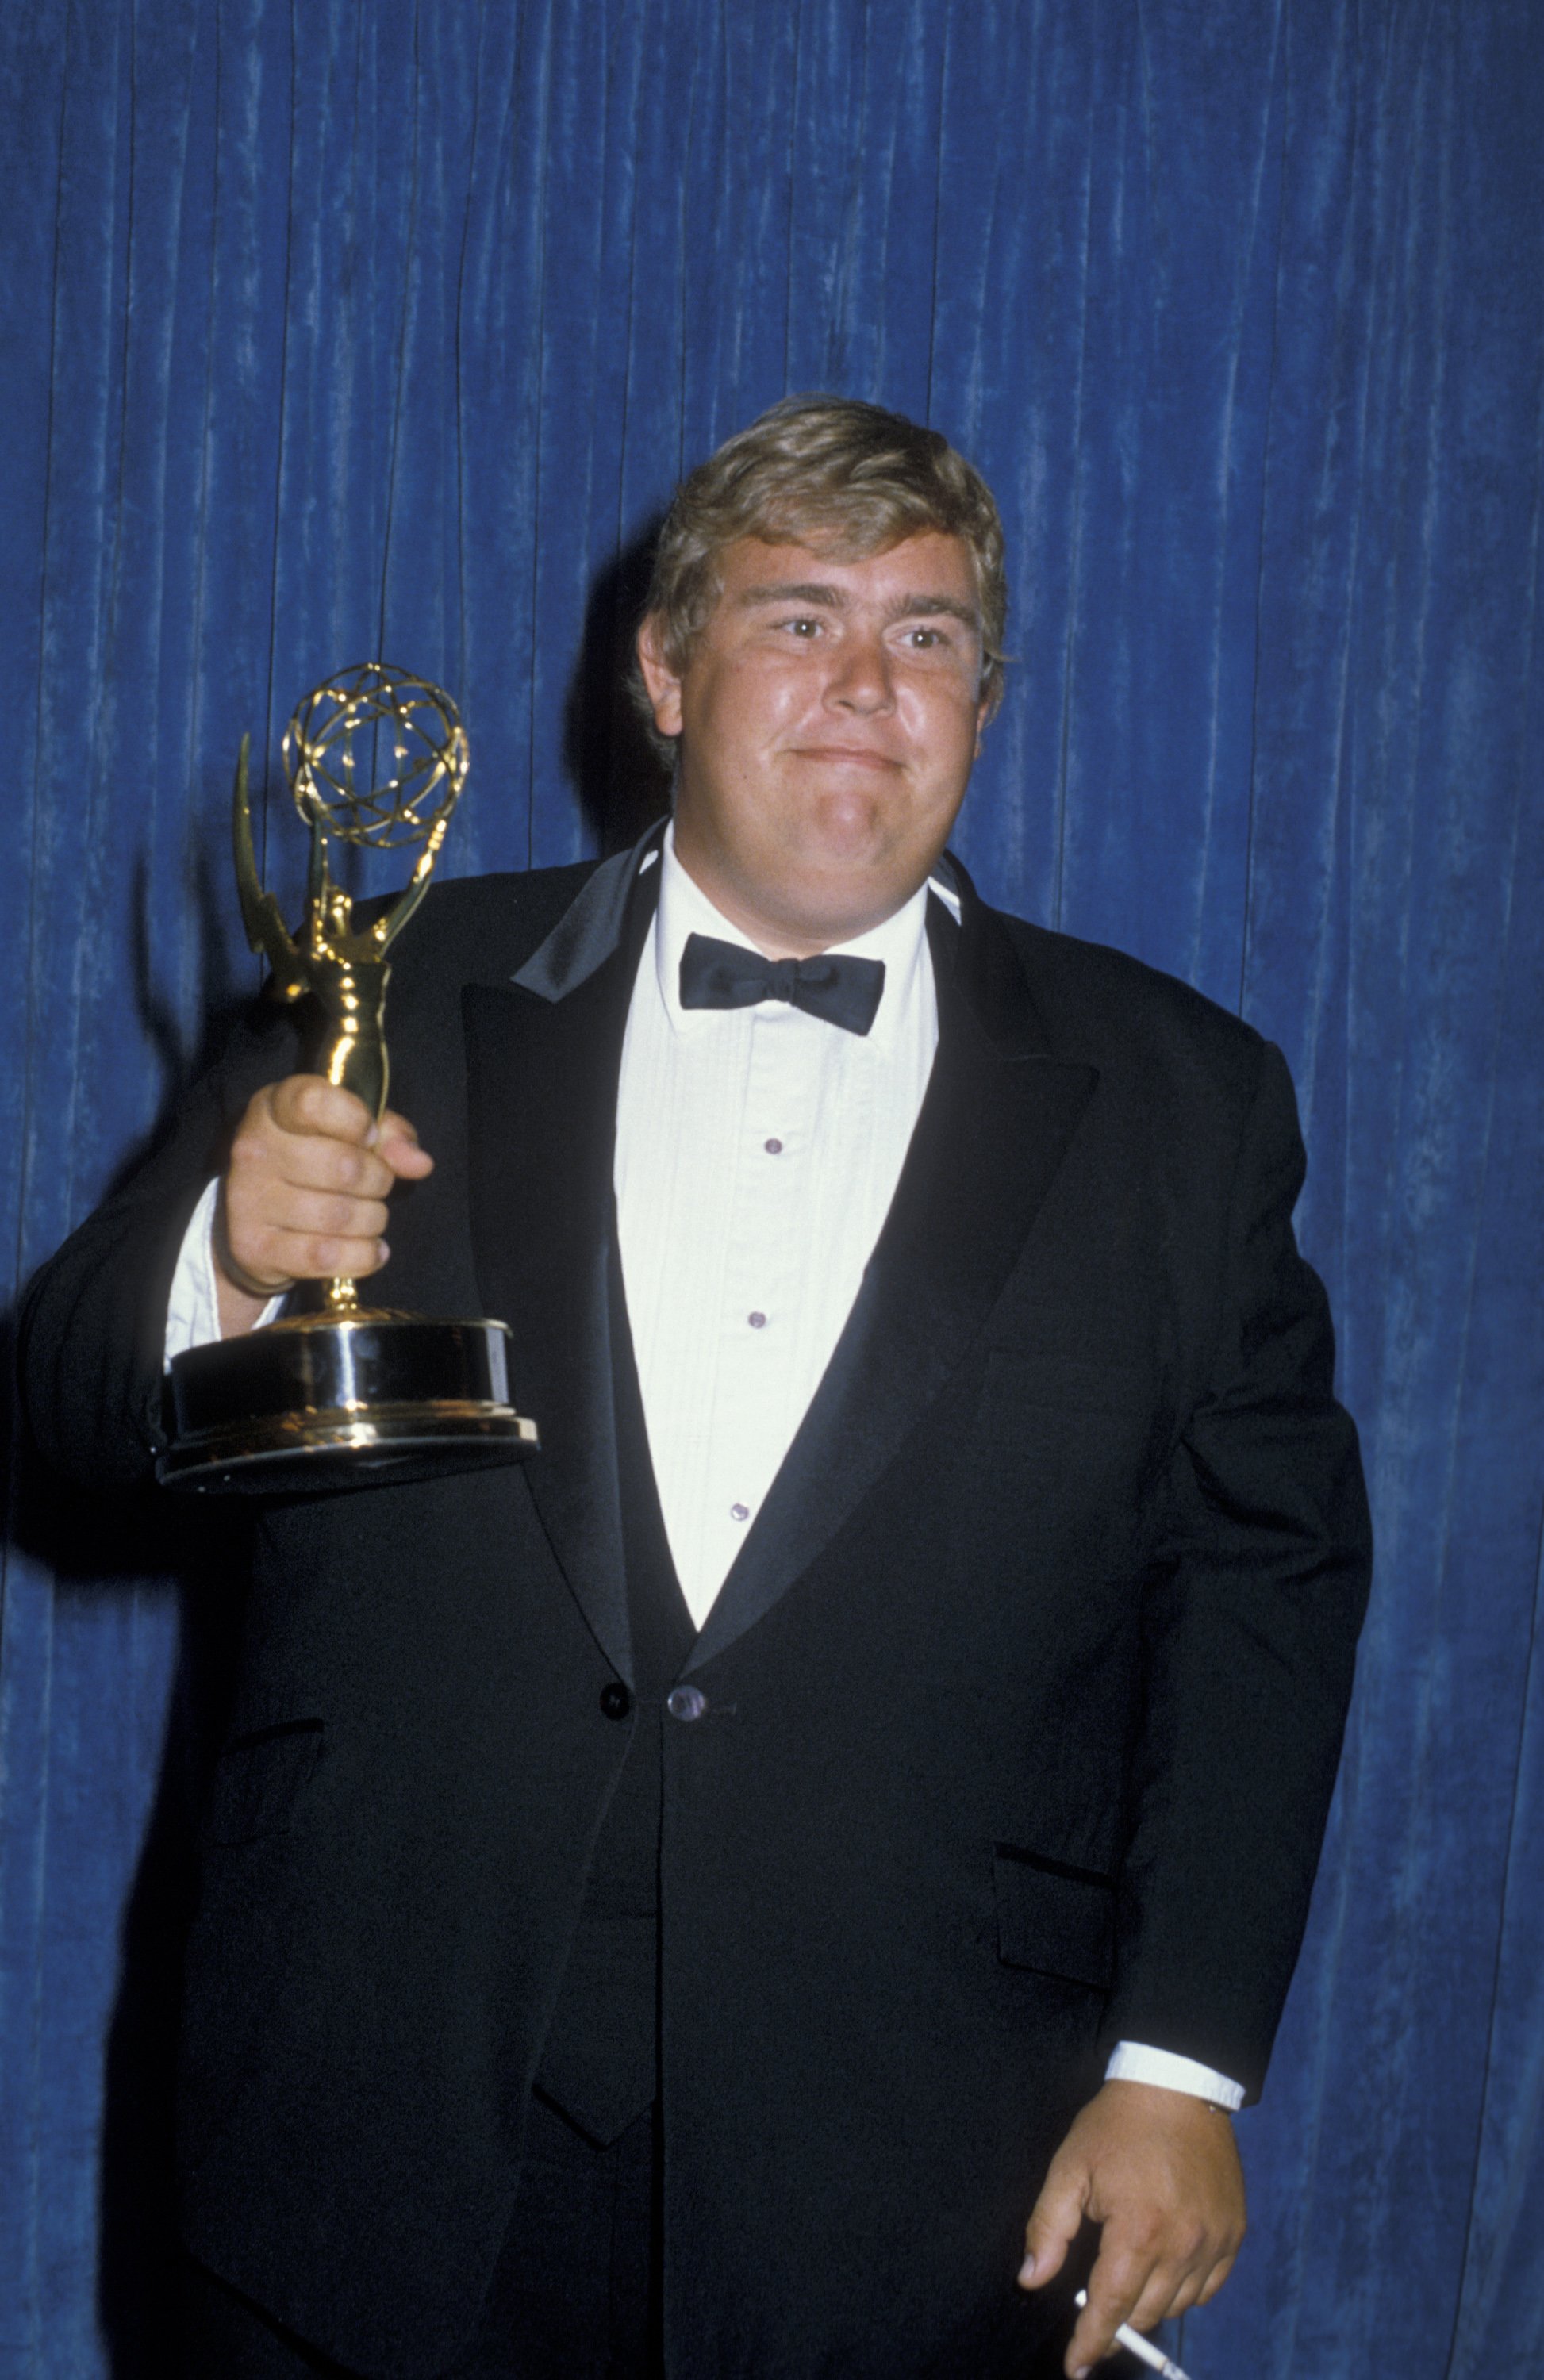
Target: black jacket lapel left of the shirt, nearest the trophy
544, 1072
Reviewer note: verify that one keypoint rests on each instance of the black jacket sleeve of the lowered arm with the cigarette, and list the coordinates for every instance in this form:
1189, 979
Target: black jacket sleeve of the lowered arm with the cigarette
1248, 1639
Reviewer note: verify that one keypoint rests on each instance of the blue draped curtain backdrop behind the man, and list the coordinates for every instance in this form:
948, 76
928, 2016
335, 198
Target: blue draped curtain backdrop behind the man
339, 330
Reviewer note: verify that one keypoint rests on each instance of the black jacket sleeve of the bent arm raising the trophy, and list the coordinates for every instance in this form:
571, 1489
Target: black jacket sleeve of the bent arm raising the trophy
94, 1320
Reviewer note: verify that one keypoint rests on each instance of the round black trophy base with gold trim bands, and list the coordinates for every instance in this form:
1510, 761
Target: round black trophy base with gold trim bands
341, 1401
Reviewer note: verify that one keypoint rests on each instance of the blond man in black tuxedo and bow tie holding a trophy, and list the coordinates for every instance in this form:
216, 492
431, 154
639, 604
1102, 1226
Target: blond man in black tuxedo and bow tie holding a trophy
686, 1903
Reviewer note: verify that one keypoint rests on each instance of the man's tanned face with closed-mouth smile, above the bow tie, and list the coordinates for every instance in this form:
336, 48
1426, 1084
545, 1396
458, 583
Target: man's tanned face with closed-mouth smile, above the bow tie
829, 718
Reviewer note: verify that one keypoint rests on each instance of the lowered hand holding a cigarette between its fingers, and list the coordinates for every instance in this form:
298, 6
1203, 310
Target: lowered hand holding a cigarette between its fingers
1160, 2174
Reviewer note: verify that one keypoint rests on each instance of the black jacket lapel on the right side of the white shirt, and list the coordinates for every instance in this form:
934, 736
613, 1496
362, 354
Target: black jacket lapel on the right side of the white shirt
996, 1125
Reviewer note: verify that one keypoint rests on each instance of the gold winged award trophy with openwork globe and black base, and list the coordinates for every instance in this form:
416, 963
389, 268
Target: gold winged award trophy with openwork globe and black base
349, 1393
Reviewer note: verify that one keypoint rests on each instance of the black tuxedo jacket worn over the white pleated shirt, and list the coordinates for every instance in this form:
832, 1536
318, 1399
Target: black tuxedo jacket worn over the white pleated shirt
1024, 1696
